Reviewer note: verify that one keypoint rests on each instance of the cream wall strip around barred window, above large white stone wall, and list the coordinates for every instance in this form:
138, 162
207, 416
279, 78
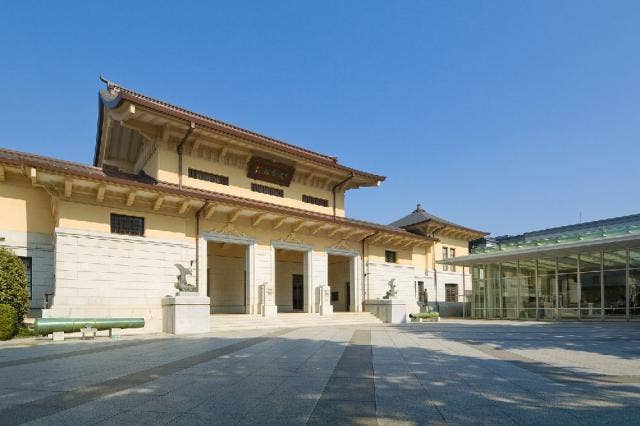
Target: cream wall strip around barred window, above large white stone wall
97, 218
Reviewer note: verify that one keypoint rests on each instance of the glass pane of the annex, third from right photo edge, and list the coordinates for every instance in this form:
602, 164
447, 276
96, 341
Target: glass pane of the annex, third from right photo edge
590, 288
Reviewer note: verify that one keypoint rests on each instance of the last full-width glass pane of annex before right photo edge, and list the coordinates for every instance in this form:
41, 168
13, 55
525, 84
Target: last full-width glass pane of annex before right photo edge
614, 266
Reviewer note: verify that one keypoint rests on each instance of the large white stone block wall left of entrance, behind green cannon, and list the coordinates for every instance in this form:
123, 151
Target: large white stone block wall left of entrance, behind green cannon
109, 275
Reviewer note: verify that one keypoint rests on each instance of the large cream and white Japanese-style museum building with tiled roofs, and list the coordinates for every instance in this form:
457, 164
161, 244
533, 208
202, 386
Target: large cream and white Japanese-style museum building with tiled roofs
255, 225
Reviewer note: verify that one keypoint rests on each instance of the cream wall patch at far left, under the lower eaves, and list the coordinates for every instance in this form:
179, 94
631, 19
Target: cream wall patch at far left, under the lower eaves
25, 208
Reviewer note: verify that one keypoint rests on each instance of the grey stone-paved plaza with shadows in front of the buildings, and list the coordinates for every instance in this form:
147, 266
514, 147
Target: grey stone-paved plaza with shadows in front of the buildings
455, 372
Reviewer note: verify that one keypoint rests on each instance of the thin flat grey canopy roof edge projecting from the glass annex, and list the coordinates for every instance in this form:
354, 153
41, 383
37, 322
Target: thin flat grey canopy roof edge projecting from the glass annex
602, 244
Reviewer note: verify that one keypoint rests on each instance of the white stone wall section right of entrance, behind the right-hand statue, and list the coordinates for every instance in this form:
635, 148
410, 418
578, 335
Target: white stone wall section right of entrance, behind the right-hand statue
380, 274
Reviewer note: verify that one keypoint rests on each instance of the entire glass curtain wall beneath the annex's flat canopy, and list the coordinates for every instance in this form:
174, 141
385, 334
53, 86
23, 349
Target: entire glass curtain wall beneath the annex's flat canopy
589, 285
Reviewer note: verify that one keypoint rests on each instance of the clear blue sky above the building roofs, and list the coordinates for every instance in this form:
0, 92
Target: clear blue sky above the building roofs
504, 116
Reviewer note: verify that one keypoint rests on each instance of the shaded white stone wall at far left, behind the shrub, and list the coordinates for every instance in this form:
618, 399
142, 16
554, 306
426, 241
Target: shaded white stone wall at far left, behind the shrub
40, 248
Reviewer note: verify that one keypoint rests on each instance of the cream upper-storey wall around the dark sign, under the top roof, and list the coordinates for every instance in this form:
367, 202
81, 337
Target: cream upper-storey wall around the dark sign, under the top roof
239, 183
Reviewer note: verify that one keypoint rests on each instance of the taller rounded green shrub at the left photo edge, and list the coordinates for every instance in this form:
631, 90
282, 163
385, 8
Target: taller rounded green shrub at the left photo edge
13, 283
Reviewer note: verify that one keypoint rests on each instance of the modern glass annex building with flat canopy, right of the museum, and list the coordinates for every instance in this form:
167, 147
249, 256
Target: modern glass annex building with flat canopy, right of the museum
583, 271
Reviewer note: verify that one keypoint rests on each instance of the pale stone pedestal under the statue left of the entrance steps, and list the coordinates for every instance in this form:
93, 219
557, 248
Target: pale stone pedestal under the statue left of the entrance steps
185, 313
